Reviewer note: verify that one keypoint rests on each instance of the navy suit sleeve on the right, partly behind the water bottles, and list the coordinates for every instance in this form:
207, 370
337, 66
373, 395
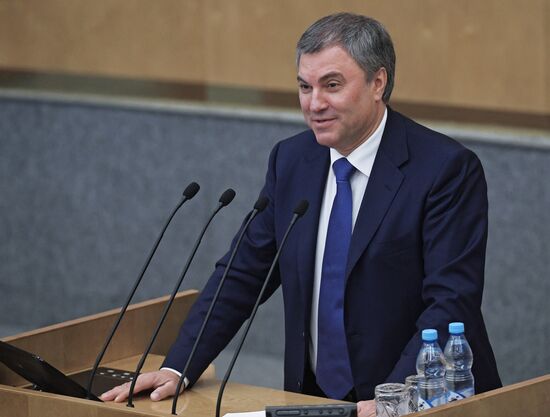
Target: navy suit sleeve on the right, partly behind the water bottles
454, 233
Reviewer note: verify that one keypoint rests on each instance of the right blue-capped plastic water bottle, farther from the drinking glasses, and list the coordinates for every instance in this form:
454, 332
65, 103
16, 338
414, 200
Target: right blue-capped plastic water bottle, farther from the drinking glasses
459, 379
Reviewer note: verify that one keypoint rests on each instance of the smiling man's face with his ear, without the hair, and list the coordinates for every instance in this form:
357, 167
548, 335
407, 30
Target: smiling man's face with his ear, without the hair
338, 103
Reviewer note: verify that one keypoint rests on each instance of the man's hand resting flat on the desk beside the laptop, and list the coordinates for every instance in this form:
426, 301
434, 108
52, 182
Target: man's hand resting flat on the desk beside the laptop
163, 383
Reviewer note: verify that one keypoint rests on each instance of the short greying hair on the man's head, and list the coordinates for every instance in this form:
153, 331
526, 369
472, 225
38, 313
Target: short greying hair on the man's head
364, 39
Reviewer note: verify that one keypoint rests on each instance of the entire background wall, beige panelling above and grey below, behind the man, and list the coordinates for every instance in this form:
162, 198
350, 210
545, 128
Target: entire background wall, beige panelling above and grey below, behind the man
86, 185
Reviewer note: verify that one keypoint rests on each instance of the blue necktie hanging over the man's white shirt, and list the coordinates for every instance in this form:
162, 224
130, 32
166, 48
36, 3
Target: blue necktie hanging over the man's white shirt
333, 371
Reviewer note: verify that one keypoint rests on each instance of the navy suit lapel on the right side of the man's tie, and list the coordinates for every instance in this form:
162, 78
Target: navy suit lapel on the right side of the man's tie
384, 182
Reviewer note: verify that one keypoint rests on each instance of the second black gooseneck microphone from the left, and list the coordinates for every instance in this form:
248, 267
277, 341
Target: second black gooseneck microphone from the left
224, 200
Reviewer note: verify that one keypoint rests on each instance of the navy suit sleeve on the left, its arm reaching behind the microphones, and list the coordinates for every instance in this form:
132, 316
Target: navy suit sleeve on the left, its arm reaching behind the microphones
238, 295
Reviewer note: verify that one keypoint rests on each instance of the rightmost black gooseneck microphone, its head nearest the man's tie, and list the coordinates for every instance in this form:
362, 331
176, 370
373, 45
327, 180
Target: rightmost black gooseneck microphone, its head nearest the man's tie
299, 211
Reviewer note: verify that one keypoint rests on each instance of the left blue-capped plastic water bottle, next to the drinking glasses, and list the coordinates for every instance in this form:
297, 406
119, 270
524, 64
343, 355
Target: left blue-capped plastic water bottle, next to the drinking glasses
430, 366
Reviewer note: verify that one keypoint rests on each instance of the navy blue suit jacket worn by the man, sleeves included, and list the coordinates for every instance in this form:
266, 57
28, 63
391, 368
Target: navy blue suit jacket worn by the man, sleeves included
416, 259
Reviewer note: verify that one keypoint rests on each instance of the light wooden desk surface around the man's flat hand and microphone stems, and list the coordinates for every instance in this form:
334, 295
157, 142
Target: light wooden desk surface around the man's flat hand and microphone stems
199, 401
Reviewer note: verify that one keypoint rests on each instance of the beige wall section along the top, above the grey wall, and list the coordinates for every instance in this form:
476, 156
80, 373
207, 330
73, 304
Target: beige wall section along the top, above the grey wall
488, 54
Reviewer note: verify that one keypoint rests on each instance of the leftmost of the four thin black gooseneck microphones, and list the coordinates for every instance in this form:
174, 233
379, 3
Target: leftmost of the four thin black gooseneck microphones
188, 194
